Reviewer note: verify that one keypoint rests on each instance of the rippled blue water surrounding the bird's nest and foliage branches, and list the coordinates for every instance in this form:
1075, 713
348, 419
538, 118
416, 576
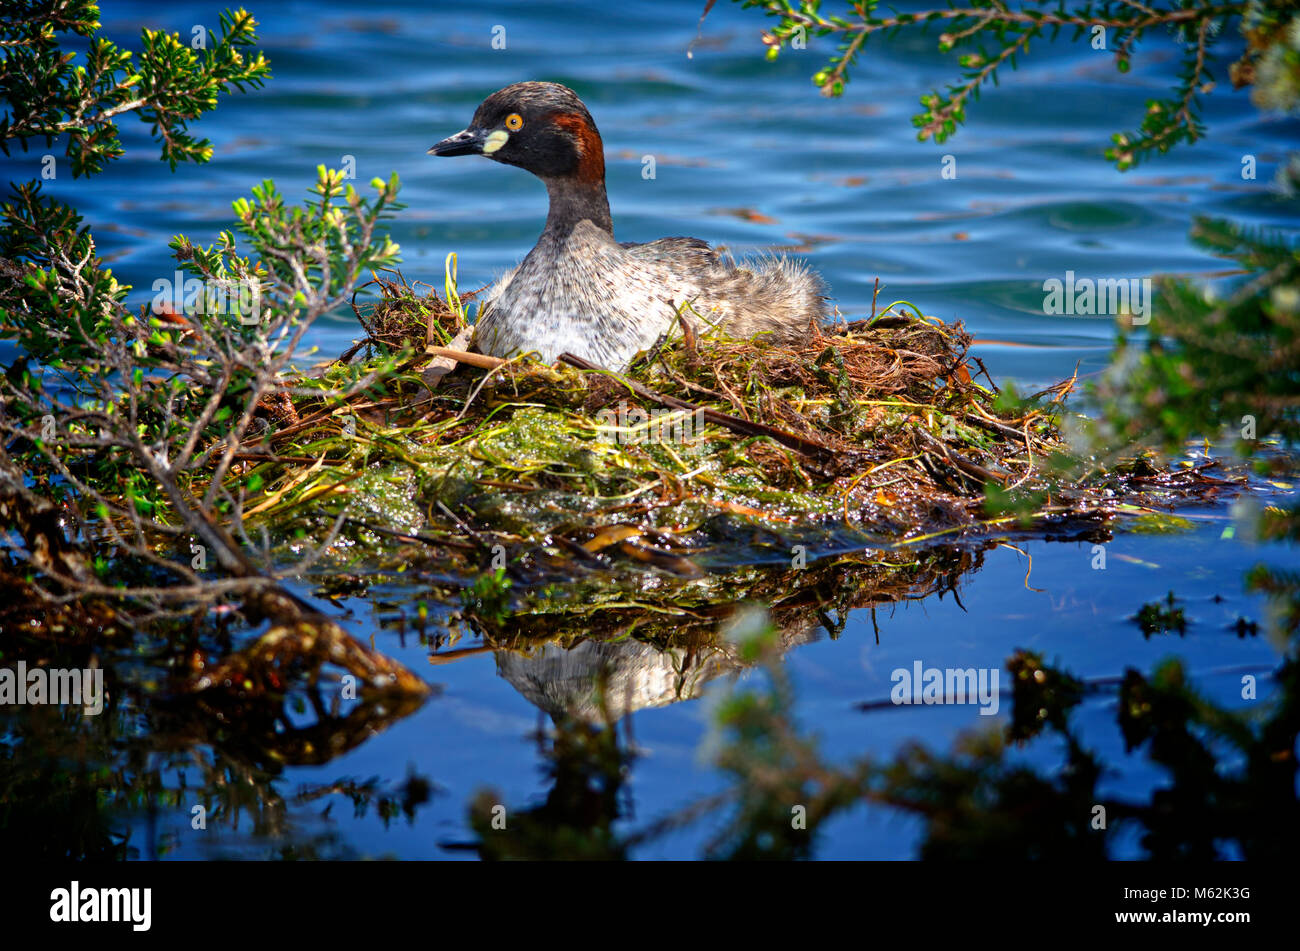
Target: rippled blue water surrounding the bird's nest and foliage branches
749, 157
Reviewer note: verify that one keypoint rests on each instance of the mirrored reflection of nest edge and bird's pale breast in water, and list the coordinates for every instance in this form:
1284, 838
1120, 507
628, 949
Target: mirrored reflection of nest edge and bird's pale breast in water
584, 666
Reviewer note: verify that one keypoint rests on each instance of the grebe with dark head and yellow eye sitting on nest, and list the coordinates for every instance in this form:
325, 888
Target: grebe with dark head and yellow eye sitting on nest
583, 293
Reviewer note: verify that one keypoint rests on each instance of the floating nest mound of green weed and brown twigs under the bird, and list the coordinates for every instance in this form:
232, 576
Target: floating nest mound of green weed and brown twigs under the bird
710, 453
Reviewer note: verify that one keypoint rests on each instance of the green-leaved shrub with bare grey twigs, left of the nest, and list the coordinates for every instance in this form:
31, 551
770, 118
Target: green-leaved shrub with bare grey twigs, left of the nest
145, 403
